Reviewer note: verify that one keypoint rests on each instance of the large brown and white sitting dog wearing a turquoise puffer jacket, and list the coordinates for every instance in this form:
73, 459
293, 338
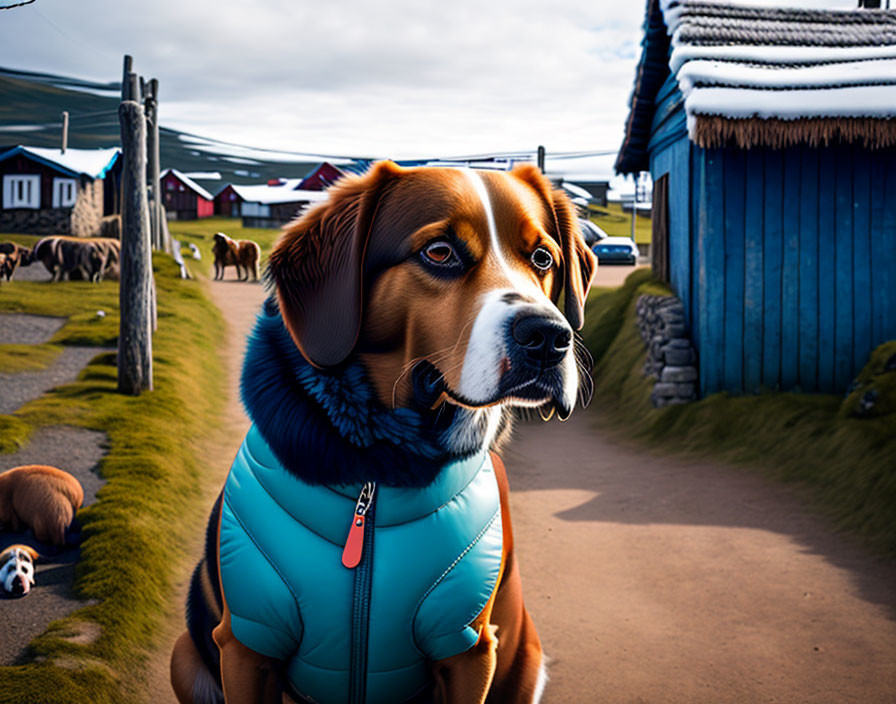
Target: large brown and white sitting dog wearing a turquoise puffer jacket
362, 550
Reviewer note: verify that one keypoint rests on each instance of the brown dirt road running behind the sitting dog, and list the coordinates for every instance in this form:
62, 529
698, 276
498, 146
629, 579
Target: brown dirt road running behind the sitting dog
658, 580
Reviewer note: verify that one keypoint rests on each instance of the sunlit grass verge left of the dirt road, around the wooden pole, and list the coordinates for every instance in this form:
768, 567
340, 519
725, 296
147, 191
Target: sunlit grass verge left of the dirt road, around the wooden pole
153, 471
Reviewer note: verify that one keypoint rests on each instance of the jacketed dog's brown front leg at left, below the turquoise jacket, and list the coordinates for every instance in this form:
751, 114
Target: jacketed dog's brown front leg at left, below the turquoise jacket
247, 677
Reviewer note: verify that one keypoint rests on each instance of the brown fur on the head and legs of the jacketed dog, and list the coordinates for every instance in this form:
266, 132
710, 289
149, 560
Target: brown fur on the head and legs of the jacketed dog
318, 267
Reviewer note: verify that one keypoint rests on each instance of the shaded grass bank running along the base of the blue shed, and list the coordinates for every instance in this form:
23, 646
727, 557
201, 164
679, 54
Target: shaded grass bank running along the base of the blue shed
847, 463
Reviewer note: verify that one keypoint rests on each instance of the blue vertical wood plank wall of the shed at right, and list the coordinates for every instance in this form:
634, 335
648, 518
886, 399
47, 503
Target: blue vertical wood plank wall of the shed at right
785, 261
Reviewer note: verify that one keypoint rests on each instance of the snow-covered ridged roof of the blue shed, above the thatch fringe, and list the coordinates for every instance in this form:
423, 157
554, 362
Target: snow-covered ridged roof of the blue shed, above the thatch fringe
782, 63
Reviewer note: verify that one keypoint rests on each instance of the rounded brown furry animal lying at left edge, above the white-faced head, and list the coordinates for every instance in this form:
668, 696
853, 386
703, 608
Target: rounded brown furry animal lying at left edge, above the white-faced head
39, 497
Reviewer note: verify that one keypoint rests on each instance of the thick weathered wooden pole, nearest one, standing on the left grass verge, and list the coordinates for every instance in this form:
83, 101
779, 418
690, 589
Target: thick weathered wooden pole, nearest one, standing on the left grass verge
136, 285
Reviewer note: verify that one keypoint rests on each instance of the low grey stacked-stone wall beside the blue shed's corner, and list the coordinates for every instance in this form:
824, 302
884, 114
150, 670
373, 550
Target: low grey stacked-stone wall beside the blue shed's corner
671, 358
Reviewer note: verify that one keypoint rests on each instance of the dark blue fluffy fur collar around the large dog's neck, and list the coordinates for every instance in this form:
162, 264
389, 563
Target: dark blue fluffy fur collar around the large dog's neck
327, 426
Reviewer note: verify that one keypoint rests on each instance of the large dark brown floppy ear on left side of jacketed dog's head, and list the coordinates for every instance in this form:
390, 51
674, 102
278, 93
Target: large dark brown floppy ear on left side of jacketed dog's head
318, 264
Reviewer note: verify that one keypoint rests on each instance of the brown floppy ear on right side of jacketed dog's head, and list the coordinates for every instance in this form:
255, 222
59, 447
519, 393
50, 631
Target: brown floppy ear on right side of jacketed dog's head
579, 262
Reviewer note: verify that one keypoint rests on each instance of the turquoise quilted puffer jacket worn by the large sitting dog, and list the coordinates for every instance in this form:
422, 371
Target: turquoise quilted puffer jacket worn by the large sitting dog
436, 554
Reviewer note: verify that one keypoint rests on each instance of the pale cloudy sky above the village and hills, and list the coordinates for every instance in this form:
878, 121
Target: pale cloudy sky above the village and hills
398, 79
